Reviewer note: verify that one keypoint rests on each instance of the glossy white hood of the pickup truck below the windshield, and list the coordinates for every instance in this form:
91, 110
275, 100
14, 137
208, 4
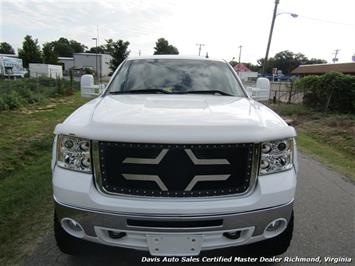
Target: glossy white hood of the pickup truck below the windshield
175, 119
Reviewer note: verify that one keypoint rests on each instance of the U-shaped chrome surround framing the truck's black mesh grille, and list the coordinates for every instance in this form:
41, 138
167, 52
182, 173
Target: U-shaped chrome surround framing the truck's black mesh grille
98, 178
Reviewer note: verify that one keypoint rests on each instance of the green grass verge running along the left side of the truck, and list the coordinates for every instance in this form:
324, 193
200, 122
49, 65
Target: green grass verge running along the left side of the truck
25, 174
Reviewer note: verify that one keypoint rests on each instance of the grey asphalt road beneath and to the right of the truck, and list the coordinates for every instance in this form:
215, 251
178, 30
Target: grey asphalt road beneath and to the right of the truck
324, 226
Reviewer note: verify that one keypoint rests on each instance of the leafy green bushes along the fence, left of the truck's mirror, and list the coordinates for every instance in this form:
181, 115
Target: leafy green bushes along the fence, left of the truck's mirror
17, 93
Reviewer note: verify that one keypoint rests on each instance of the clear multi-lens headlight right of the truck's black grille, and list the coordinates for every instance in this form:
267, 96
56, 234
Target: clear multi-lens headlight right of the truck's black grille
276, 156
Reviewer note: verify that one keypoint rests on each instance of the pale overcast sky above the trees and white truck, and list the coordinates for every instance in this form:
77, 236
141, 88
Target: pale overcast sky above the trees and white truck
222, 25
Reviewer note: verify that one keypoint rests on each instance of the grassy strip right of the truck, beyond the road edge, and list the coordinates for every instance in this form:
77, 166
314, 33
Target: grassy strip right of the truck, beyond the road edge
329, 138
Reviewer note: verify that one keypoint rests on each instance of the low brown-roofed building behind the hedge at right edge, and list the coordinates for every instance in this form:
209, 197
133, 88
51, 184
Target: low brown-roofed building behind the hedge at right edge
318, 69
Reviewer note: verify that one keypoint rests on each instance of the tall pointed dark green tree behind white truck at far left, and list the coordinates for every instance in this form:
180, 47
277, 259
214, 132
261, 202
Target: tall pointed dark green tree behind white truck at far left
30, 52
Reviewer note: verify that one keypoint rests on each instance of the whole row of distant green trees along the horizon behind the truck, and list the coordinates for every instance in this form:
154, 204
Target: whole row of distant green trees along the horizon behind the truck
31, 52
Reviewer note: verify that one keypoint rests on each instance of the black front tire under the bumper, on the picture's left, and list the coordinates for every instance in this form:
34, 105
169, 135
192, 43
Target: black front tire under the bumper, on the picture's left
66, 243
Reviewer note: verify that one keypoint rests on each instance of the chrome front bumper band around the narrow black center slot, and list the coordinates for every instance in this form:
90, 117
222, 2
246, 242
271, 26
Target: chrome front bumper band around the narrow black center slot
90, 218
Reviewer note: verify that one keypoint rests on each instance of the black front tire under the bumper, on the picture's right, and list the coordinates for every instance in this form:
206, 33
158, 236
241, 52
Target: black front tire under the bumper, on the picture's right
276, 245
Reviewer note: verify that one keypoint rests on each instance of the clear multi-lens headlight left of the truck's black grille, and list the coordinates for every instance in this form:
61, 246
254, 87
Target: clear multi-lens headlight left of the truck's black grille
74, 153
